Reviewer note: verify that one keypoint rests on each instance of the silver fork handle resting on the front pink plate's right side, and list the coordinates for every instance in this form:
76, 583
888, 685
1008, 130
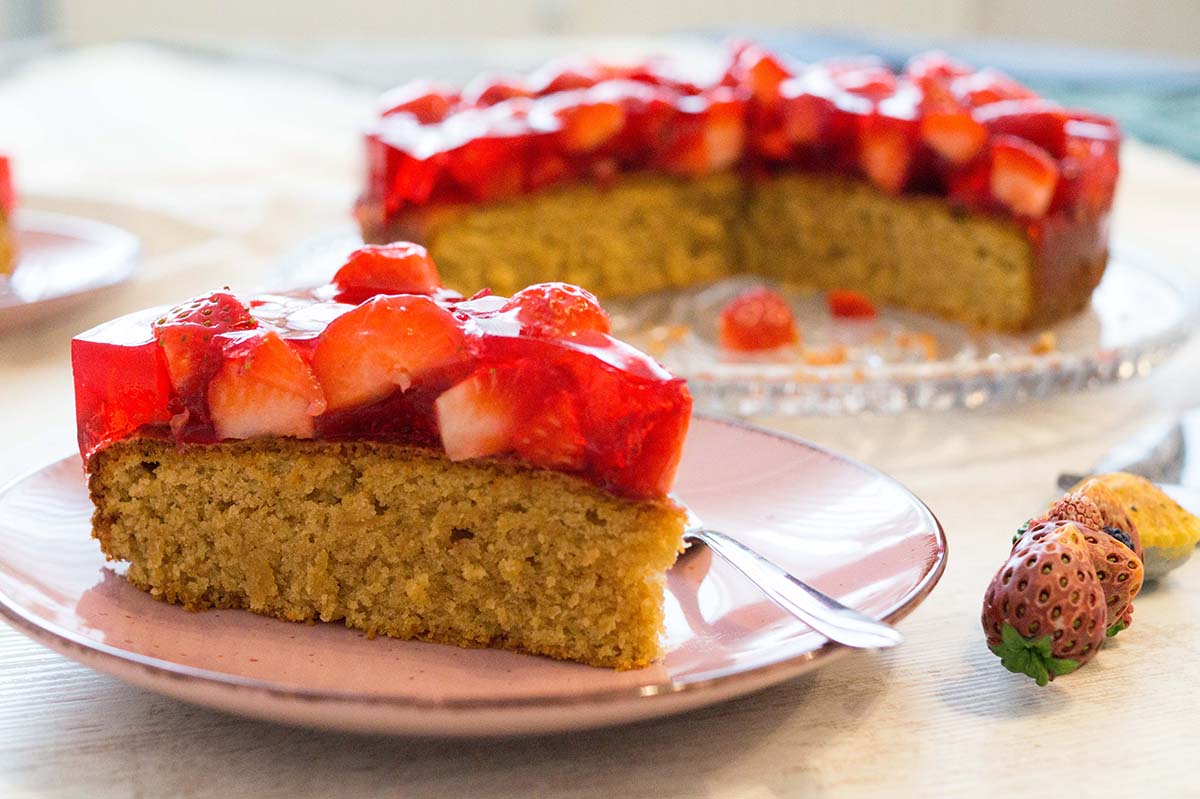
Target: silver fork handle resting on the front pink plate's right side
824, 614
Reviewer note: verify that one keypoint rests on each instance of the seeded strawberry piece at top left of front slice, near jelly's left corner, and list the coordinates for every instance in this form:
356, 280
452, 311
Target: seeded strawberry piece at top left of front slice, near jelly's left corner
187, 334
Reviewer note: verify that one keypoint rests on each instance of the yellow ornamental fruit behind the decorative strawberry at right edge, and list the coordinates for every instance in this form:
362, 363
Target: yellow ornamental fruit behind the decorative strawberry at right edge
1169, 534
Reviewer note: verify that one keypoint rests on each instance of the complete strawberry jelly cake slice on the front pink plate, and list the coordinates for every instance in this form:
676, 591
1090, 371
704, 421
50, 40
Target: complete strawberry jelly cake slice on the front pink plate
484, 472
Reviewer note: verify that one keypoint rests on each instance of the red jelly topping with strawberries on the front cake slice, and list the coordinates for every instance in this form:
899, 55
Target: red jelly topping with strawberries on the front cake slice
537, 377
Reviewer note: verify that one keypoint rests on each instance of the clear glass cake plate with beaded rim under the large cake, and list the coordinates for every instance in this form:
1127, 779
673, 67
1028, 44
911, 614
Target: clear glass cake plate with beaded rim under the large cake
1139, 316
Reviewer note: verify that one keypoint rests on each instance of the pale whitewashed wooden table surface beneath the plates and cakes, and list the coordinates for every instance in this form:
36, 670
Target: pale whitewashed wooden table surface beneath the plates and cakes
221, 167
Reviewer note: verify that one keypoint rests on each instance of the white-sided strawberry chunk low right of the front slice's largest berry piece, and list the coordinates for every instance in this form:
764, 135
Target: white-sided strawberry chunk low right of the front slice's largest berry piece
479, 417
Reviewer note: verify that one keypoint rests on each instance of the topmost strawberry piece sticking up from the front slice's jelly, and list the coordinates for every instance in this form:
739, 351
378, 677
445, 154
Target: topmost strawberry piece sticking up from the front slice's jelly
400, 268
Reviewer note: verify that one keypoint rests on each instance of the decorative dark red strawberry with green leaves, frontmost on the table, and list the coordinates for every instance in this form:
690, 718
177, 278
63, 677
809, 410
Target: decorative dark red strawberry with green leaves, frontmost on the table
1045, 612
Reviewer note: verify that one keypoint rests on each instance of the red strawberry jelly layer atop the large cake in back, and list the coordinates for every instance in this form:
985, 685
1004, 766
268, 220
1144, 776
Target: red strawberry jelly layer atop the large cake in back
938, 127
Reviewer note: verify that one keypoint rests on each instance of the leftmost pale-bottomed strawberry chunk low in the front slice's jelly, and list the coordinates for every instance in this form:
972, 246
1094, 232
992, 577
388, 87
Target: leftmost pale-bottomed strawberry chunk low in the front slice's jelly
263, 388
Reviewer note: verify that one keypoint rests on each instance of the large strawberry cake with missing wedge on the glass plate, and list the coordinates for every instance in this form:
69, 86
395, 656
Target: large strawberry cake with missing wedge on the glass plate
940, 189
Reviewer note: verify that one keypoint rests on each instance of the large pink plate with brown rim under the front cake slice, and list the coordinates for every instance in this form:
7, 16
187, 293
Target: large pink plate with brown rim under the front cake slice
845, 528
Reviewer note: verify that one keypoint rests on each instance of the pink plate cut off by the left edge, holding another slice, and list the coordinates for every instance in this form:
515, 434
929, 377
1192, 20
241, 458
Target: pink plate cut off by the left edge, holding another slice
63, 262
